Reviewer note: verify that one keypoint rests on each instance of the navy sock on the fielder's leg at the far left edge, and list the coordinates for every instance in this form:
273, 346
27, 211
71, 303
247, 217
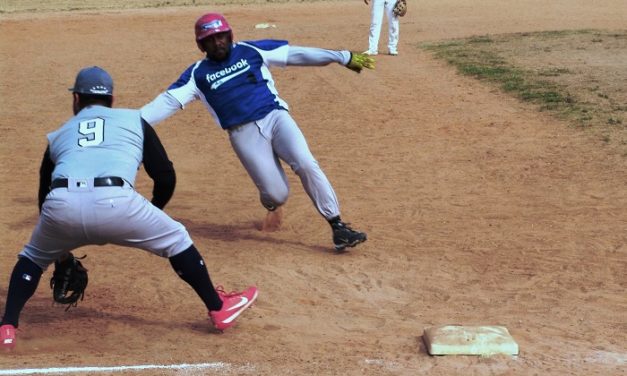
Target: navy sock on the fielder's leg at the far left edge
24, 281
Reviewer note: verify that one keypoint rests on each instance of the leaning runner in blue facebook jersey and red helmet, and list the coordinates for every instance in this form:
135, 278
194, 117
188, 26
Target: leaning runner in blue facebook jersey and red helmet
235, 84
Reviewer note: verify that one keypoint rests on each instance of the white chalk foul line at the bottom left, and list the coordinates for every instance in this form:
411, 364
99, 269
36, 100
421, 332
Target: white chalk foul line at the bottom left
62, 370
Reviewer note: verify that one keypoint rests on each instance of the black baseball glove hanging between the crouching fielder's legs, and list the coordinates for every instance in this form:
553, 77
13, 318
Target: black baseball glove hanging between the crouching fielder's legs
69, 281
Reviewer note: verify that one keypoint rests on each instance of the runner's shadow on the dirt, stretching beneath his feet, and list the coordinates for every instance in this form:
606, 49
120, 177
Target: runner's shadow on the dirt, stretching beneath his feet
243, 231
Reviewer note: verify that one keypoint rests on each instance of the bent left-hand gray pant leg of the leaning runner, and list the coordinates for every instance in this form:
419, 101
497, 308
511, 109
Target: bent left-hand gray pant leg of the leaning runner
254, 150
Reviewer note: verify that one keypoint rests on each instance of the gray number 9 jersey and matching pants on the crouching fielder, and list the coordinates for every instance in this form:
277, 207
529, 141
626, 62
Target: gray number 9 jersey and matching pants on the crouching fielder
100, 142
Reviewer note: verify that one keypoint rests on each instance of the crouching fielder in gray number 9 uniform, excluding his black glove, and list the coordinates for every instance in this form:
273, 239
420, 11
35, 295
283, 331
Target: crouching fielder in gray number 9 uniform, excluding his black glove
87, 197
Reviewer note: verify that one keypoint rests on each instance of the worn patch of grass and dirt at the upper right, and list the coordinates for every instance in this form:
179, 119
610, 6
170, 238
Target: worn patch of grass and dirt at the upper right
578, 75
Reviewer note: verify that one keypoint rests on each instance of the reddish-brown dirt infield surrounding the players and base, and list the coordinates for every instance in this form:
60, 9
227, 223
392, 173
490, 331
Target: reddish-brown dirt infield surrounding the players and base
479, 210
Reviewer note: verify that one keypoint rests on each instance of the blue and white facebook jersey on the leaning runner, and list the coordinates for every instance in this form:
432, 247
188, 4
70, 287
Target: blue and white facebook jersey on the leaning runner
238, 90
